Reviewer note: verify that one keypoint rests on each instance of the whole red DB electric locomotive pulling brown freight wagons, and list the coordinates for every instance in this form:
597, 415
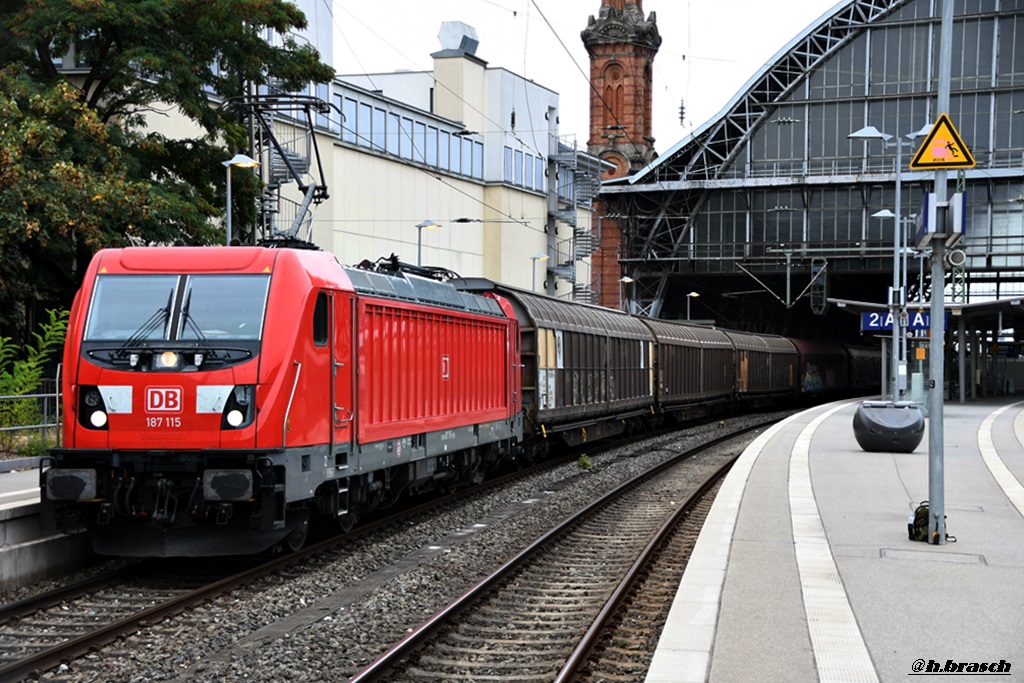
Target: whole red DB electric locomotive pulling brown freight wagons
219, 400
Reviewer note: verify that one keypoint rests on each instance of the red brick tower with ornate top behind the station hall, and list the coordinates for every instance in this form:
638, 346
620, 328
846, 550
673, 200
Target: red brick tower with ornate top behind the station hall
622, 46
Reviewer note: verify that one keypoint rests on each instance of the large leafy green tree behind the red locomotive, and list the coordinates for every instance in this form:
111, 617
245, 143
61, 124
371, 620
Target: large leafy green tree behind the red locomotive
82, 165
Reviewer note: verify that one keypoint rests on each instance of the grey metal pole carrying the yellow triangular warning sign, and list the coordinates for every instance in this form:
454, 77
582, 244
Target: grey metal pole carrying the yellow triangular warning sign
936, 478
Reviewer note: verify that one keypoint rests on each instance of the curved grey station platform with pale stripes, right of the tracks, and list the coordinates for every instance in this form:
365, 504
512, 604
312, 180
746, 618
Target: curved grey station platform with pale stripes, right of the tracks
804, 571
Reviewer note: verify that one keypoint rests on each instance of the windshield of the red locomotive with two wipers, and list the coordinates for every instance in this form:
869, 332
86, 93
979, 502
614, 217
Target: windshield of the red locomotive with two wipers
204, 308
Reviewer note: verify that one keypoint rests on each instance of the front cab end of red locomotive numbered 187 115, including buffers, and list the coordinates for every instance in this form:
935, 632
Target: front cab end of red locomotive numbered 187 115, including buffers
179, 369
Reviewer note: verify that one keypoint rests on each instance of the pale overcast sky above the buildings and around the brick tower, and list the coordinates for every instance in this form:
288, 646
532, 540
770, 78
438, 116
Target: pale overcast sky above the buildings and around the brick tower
710, 49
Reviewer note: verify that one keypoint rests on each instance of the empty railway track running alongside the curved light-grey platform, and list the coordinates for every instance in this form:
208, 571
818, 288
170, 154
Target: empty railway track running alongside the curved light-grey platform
543, 615
